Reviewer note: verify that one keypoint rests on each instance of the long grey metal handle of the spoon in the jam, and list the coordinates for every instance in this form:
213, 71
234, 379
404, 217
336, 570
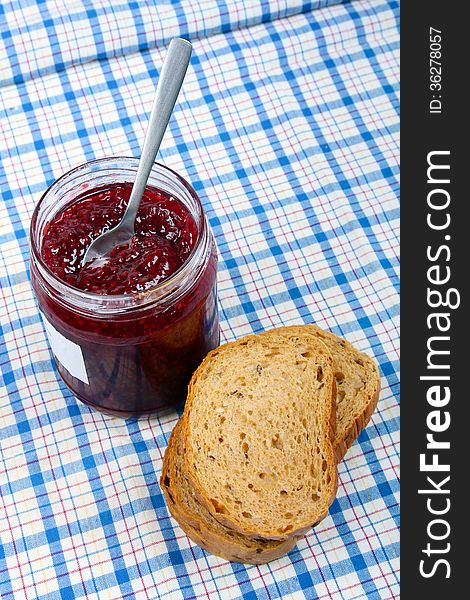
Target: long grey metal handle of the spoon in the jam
168, 87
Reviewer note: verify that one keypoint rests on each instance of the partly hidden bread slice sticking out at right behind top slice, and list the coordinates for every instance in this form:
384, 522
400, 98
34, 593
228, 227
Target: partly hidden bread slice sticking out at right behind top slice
357, 383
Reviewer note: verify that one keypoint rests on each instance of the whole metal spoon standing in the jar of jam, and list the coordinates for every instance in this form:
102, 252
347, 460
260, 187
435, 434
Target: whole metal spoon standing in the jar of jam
168, 87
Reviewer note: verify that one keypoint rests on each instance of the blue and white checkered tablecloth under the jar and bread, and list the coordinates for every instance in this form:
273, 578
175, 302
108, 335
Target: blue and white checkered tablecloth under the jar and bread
287, 126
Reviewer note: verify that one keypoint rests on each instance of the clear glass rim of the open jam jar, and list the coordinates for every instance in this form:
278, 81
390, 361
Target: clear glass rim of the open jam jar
122, 302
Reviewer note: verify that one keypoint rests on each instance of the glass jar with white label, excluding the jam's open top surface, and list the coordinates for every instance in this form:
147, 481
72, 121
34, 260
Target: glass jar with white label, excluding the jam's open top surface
129, 354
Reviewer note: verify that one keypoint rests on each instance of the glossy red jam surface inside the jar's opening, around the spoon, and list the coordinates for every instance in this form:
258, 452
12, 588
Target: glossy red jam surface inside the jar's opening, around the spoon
165, 233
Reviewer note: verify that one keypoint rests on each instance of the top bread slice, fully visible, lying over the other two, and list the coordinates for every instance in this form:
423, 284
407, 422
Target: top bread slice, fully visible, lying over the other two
258, 429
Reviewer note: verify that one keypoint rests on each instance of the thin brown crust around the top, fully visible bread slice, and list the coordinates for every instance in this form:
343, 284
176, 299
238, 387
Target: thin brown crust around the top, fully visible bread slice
328, 426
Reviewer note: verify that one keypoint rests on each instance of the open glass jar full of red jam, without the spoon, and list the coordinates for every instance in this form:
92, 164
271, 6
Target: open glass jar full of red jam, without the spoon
126, 331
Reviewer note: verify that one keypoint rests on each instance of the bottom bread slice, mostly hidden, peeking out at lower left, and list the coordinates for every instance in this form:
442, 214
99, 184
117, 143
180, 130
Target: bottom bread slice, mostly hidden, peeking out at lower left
199, 524
